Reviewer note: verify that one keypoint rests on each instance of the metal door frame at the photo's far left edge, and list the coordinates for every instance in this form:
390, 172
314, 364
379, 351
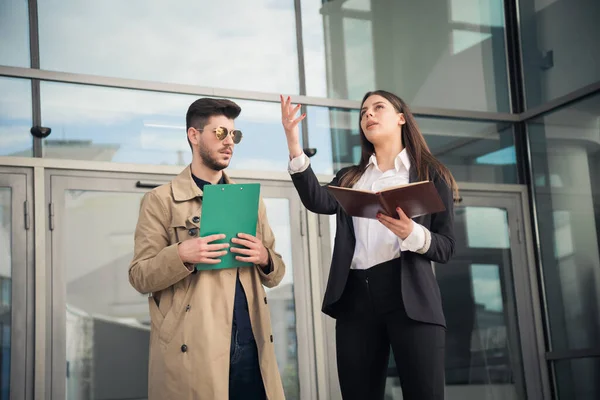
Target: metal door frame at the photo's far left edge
19, 180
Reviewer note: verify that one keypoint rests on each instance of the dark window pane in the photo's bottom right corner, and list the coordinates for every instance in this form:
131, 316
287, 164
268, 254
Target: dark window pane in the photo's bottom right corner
578, 379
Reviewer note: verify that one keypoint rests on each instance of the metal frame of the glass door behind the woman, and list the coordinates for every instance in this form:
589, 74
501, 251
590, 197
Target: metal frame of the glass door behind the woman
528, 326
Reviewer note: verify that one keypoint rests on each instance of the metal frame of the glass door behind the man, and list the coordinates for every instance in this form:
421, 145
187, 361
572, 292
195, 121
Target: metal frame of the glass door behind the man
58, 180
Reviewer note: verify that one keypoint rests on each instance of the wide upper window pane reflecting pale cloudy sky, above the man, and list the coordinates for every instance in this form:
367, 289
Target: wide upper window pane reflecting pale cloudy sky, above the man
216, 44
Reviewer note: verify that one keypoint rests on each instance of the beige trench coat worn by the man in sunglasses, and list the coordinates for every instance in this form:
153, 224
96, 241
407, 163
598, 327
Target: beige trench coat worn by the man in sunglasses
191, 314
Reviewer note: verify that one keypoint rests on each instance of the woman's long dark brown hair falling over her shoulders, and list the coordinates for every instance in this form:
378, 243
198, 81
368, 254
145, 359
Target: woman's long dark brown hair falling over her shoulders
413, 141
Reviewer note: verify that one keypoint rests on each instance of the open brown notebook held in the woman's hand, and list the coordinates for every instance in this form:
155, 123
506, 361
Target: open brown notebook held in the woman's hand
415, 199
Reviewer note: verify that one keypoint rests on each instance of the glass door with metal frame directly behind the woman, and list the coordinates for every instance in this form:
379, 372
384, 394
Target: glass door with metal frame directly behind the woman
488, 295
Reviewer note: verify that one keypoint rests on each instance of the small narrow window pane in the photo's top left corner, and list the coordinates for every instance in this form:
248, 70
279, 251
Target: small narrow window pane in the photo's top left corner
14, 33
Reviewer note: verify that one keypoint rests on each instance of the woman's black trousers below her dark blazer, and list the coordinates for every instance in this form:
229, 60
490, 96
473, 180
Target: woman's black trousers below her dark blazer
372, 319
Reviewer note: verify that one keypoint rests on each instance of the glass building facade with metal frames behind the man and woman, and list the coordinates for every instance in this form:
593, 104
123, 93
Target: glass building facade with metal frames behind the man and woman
506, 92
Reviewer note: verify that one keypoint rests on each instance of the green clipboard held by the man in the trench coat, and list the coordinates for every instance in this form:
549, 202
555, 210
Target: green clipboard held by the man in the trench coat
229, 209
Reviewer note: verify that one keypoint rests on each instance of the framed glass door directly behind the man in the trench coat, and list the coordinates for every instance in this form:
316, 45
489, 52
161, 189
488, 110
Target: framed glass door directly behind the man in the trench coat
100, 324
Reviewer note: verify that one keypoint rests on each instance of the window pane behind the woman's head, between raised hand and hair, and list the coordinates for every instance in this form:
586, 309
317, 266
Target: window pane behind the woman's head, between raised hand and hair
474, 151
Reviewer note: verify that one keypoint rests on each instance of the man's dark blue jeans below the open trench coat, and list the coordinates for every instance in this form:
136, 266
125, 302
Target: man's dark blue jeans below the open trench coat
245, 379
